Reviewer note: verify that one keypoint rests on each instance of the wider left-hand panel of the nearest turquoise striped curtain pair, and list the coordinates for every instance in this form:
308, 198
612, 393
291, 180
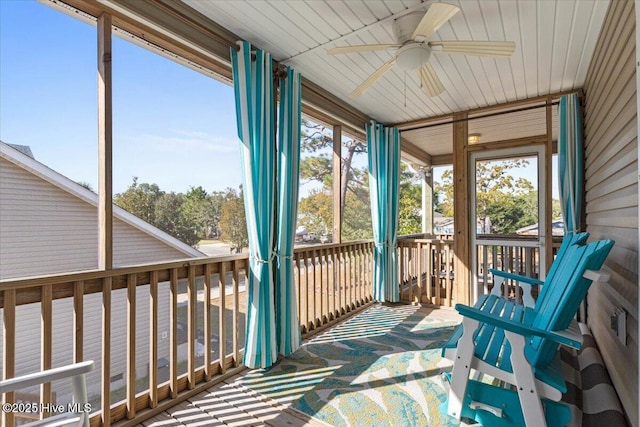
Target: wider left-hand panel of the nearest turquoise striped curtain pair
255, 115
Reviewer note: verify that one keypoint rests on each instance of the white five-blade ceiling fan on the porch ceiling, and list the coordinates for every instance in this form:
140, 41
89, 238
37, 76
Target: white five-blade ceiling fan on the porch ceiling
413, 49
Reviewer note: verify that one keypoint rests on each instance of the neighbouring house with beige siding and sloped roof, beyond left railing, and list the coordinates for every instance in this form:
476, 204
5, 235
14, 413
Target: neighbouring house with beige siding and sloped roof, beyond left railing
49, 225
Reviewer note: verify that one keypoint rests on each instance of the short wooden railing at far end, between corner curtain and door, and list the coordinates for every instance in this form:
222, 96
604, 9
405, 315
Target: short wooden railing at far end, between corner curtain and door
426, 270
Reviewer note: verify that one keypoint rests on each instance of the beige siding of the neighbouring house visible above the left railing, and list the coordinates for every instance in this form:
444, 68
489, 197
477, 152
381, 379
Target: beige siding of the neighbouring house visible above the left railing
46, 230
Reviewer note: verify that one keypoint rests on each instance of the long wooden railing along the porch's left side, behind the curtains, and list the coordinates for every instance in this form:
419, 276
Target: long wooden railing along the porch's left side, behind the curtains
149, 328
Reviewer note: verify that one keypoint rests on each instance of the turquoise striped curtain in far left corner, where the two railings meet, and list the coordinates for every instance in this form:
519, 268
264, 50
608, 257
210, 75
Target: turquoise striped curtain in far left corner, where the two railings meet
383, 145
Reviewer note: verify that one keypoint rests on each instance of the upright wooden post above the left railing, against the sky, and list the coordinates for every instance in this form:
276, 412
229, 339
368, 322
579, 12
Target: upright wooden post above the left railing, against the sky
105, 145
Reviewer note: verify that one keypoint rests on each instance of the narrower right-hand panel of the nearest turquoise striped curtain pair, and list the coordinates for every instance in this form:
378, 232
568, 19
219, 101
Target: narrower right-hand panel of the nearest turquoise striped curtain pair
290, 112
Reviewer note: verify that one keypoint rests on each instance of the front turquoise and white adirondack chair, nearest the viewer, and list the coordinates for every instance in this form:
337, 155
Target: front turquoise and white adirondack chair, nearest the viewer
518, 346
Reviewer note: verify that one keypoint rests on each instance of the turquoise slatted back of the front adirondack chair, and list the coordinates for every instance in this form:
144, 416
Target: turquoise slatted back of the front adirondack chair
564, 296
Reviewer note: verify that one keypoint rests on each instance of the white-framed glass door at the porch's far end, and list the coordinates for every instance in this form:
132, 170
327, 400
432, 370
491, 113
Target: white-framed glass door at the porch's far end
507, 204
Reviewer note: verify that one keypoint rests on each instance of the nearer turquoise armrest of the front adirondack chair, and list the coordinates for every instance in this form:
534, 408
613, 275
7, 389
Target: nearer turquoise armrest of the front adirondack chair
517, 327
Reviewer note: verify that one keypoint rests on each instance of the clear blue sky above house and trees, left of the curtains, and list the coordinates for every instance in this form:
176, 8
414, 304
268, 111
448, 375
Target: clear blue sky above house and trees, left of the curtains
172, 126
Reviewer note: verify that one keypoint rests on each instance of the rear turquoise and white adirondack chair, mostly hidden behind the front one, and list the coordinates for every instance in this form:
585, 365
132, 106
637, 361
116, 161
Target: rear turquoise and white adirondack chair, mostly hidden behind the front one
526, 283
